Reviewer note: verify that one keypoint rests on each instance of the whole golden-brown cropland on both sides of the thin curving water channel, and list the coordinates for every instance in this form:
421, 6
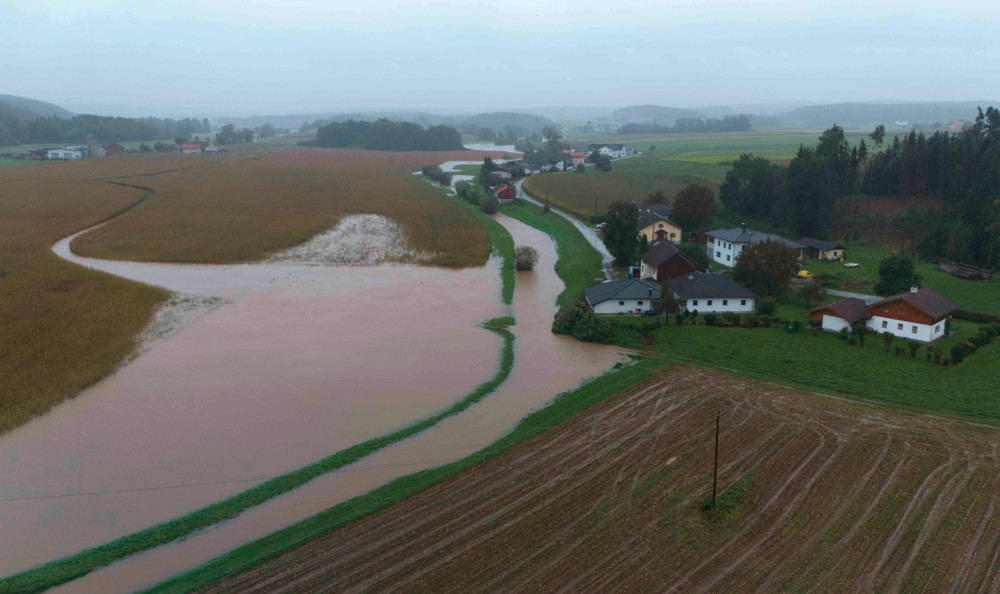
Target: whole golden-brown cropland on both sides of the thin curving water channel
66, 327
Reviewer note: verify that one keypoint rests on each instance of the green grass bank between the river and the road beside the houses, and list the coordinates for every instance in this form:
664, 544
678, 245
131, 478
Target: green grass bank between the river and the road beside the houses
579, 264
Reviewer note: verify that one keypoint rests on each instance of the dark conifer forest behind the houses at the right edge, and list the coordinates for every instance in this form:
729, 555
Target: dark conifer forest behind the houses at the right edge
961, 171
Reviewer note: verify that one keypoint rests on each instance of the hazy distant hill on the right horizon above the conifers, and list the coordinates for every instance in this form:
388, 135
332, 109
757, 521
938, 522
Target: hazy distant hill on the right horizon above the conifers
869, 115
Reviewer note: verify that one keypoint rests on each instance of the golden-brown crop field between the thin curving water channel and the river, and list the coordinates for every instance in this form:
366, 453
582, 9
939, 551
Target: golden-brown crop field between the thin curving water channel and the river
240, 211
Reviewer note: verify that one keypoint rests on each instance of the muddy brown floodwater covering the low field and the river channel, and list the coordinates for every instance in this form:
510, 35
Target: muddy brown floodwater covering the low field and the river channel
304, 361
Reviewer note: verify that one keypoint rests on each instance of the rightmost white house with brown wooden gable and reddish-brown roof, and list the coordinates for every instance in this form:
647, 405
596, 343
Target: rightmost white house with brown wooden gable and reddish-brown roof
918, 314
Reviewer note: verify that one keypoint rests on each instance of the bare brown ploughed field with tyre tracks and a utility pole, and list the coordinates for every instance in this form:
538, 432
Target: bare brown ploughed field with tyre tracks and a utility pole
817, 494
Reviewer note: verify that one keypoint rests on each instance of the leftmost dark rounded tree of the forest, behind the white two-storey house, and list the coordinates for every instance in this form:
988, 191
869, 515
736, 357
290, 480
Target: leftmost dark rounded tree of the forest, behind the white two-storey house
752, 186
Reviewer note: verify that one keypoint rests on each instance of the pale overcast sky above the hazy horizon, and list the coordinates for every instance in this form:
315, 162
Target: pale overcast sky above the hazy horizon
214, 58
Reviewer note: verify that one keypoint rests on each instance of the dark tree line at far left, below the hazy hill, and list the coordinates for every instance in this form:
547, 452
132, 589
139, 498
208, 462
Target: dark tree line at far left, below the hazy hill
75, 130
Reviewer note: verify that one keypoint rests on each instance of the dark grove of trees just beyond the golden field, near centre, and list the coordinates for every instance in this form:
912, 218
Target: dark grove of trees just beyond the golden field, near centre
386, 135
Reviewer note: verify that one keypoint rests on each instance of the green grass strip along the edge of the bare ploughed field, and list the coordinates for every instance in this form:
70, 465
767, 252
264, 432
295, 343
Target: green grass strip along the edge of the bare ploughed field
564, 406
